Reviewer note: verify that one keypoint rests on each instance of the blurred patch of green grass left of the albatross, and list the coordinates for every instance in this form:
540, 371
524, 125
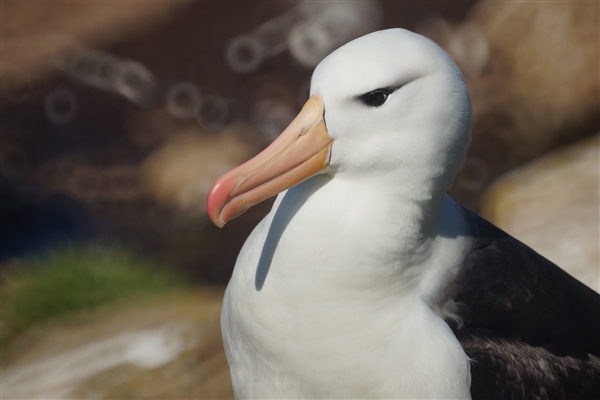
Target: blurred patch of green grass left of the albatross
76, 277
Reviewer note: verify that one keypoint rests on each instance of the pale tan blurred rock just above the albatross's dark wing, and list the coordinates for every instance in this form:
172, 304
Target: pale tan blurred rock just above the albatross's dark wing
552, 205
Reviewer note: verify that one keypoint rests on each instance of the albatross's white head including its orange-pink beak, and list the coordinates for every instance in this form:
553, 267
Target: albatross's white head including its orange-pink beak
388, 106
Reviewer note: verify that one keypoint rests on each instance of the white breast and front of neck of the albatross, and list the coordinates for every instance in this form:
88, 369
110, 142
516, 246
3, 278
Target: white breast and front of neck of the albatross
324, 304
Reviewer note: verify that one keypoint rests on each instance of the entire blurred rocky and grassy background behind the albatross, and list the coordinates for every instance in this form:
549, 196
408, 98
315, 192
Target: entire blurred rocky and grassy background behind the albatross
117, 117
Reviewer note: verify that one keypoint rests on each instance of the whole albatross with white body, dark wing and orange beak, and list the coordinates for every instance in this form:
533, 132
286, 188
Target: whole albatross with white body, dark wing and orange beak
366, 280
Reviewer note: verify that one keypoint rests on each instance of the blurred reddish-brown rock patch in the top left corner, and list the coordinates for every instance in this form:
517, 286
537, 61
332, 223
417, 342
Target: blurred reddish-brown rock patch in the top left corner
34, 32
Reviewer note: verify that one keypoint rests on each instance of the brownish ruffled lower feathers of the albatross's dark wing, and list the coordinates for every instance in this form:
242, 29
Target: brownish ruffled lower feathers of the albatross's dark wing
506, 368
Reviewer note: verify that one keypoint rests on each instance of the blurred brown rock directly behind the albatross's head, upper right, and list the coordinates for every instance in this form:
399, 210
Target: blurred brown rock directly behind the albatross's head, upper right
532, 69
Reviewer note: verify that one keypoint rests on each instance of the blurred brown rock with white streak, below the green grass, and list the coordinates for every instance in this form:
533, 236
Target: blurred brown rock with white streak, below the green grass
169, 347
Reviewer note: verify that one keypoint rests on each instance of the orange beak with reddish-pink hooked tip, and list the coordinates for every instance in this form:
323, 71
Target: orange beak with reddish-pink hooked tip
301, 151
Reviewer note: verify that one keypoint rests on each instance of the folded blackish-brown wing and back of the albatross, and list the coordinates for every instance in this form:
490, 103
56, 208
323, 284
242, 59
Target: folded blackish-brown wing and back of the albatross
532, 330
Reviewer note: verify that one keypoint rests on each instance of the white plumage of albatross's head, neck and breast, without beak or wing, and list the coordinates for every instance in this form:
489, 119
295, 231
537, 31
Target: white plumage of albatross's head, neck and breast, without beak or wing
339, 291
